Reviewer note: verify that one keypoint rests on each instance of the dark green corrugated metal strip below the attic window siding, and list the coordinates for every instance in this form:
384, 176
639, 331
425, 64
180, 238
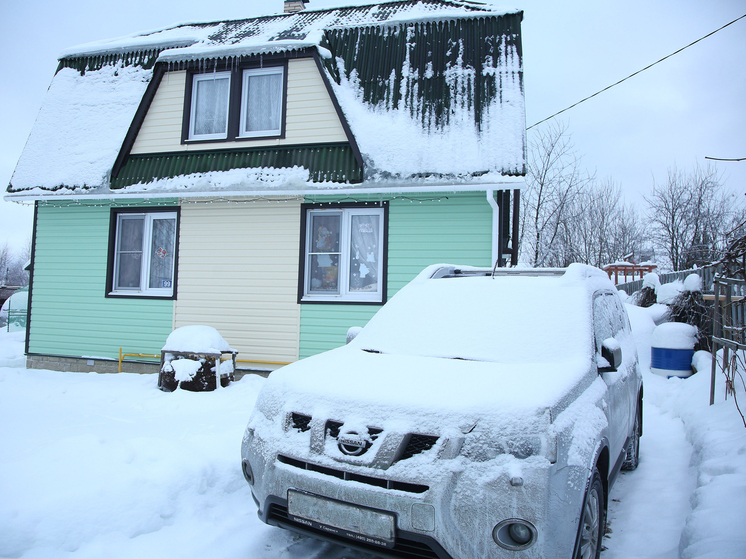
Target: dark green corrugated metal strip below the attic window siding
327, 162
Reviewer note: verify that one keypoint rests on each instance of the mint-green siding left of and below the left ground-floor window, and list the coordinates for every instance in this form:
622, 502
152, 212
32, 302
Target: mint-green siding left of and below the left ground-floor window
70, 315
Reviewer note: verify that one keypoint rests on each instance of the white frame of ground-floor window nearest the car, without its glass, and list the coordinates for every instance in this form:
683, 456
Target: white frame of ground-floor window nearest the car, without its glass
343, 274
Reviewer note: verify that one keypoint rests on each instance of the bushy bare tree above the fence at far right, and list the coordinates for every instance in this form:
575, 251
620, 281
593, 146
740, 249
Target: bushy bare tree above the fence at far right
690, 216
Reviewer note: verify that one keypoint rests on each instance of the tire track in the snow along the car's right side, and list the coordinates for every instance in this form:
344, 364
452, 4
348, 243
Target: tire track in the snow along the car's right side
649, 506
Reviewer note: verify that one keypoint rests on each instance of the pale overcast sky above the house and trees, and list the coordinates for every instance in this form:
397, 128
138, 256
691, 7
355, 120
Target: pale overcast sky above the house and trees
690, 106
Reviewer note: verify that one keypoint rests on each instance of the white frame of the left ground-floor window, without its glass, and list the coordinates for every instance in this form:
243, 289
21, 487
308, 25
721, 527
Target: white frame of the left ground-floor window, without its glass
143, 289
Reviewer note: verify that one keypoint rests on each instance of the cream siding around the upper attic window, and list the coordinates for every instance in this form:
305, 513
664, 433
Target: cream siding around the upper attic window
311, 117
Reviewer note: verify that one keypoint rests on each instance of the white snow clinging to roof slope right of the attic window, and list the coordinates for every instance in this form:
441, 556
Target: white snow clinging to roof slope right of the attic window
394, 140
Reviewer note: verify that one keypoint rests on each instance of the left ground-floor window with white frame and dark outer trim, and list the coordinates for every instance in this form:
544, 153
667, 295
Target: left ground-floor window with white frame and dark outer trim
143, 253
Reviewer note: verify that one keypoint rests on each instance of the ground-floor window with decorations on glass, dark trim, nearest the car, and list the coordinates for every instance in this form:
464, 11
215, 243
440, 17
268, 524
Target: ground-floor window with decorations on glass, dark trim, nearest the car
344, 254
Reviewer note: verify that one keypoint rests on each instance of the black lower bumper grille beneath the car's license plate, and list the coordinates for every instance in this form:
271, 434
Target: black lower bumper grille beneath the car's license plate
404, 547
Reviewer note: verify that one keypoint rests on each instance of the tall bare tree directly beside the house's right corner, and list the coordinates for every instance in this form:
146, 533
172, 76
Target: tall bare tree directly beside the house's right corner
553, 182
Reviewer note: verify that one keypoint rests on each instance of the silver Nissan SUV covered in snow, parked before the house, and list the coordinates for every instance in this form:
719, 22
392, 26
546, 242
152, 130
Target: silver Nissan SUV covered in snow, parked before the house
479, 414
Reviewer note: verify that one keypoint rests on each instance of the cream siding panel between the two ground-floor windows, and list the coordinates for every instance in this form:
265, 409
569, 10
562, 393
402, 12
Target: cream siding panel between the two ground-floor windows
238, 272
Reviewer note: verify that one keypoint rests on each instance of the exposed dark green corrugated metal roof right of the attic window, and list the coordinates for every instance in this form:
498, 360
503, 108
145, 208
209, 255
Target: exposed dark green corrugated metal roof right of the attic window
423, 54
